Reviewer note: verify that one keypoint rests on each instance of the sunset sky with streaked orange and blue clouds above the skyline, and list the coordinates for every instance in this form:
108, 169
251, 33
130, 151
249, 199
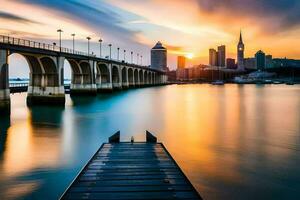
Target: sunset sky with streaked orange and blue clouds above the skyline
184, 26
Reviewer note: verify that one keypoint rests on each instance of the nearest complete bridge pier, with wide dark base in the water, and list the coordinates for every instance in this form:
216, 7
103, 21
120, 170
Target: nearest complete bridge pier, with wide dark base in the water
46, 87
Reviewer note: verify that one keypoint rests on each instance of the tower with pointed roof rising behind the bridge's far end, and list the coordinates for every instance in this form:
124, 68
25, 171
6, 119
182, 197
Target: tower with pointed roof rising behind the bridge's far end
159, 57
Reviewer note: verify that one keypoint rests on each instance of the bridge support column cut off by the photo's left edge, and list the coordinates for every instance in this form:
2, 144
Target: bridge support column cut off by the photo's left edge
4, 83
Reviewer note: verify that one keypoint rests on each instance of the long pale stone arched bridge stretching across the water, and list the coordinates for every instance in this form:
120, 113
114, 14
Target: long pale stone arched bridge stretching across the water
90, 74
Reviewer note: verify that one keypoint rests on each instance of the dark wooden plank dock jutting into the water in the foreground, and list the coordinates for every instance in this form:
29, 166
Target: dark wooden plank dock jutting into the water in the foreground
131, 170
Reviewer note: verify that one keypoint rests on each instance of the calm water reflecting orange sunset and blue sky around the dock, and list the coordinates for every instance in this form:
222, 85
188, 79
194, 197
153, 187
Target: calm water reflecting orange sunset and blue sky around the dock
233, 142
